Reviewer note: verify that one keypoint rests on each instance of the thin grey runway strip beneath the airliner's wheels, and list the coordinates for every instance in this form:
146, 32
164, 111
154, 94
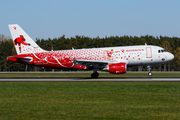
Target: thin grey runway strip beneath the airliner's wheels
69, 79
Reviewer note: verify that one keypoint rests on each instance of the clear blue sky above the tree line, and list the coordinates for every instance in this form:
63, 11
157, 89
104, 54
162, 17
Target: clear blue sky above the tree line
45, 19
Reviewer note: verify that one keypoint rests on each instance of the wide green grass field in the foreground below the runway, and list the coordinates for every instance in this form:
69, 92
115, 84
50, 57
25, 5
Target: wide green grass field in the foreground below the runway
89, 100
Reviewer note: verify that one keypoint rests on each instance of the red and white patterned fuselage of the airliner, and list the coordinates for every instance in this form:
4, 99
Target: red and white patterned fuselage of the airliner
131, 55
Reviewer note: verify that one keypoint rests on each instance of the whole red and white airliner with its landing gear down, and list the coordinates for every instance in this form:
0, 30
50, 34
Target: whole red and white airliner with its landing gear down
111, 59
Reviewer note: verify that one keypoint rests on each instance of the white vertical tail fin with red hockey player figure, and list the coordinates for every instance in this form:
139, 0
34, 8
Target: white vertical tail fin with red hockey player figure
23, 43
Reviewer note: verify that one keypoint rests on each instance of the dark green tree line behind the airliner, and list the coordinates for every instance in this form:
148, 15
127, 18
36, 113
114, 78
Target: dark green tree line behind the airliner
171, 44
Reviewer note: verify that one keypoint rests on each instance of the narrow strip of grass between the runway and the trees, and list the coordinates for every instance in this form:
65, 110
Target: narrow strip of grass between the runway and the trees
78, 74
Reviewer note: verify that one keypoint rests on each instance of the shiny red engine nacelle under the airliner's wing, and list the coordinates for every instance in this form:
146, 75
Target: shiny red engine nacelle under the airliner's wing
117, 68
